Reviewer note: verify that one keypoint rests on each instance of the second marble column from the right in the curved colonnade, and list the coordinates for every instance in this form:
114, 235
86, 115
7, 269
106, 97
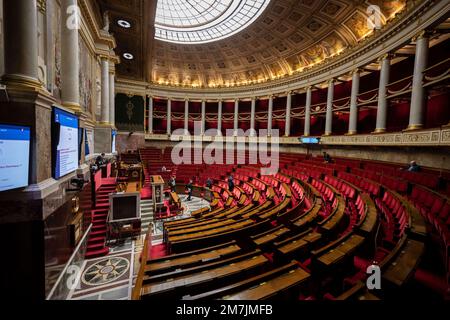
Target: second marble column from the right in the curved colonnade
382, 93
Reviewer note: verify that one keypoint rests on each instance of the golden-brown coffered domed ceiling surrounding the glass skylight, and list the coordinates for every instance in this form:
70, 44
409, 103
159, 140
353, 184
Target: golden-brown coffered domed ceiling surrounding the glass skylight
290, 35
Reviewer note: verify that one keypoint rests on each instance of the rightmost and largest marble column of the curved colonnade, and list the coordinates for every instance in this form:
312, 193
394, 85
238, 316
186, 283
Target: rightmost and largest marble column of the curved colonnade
418, 96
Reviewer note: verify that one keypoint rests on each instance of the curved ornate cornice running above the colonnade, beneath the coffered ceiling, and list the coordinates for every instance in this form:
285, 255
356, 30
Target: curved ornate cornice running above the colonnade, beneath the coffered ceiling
394, 36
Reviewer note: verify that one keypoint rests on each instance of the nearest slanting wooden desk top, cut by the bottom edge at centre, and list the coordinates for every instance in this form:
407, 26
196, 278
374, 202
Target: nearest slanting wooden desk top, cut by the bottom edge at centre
270, 288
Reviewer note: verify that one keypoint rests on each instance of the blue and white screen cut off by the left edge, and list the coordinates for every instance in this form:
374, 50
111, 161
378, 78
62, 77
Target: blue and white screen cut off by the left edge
14, 156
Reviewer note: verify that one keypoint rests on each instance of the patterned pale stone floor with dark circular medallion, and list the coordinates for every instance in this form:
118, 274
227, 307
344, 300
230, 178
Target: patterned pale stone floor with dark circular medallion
112, 277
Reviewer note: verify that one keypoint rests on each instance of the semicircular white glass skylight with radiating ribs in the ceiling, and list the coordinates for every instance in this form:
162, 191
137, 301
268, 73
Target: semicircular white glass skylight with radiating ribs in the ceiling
200, 21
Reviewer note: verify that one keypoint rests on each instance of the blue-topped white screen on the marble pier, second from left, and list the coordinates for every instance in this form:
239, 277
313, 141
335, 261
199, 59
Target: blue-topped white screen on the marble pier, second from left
65, 143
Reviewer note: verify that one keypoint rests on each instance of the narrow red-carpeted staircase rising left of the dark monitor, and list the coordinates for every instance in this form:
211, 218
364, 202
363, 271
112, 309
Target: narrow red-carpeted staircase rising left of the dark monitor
96, 245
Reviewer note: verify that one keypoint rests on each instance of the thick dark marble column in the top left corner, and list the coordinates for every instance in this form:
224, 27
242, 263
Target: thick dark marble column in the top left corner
21, 42
